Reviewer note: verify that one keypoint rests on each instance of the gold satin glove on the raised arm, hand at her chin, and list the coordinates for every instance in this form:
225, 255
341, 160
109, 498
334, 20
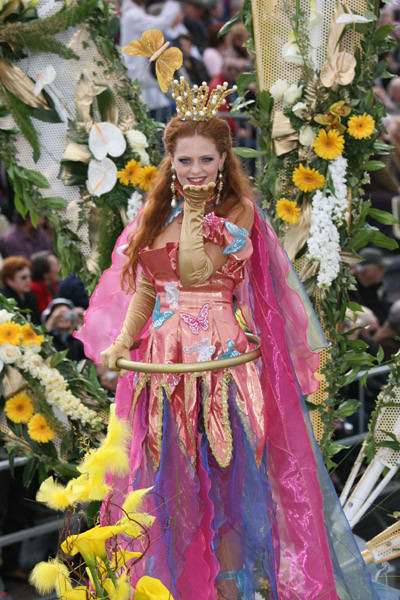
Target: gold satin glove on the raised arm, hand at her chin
195, 266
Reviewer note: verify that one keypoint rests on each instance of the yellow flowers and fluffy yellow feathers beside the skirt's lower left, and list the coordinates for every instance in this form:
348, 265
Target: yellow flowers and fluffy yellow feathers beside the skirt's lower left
108, 553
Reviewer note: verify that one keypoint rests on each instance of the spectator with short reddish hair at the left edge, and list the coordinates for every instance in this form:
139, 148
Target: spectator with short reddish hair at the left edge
16, 277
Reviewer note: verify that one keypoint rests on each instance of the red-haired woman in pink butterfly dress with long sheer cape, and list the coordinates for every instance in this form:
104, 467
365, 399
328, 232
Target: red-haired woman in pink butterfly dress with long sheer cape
242, 498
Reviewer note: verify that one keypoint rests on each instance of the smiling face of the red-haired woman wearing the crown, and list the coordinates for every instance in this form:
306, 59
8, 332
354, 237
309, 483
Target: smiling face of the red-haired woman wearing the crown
196, 160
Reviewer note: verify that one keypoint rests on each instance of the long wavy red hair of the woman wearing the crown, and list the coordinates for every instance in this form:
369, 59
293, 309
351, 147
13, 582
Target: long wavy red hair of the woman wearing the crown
236, 186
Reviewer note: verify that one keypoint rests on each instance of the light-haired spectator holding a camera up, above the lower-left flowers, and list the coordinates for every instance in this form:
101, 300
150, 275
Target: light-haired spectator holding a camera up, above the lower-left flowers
62, 318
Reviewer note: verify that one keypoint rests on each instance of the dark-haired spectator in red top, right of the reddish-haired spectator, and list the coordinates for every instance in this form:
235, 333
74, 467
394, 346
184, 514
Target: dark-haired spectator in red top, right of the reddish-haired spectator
45, 267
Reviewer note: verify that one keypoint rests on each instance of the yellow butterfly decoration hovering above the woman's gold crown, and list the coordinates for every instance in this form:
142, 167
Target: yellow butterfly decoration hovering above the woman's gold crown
167, 59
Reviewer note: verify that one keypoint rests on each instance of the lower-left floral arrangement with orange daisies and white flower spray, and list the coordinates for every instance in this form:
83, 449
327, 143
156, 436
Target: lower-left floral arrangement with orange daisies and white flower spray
50, 411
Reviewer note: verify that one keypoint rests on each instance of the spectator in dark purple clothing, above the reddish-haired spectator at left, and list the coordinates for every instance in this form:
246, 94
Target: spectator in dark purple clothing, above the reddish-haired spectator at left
23, 239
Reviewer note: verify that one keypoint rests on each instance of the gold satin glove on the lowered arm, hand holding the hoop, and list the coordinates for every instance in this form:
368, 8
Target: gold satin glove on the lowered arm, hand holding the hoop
139, 311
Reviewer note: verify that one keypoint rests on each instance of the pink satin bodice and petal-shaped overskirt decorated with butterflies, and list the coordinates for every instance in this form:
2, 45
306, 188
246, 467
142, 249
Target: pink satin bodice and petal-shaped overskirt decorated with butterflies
193, 325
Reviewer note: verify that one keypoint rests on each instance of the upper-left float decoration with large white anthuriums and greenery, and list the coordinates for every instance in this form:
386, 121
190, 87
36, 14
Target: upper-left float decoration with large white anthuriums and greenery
74, 135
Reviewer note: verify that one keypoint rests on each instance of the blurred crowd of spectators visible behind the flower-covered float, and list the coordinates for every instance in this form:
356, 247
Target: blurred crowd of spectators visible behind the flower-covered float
30, 269
